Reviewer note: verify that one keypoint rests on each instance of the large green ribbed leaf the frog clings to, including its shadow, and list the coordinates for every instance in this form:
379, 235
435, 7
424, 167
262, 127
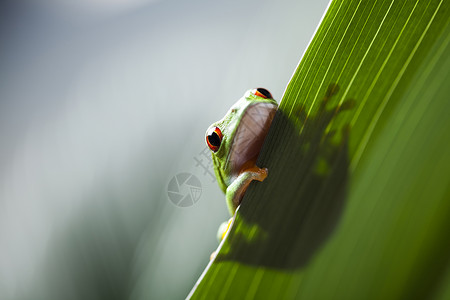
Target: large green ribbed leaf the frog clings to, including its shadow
356, 204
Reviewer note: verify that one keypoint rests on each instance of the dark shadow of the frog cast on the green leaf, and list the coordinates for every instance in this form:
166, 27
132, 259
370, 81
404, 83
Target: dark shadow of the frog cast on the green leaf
286, 229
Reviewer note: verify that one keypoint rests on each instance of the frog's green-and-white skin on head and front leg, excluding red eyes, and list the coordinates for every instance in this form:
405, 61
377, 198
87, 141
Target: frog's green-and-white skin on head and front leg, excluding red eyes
244, 129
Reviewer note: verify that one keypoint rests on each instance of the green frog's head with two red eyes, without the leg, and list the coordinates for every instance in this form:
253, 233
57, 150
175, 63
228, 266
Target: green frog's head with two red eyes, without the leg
236, 140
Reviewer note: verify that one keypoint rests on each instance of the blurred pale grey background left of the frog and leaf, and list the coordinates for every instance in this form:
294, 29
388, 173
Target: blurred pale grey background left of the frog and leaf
102, 102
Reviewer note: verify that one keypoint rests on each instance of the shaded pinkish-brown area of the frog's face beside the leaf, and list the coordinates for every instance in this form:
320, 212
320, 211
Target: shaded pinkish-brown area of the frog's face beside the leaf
250, 135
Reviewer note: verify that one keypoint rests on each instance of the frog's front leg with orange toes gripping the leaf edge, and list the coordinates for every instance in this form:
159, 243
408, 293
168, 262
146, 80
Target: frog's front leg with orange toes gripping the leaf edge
237, 188
